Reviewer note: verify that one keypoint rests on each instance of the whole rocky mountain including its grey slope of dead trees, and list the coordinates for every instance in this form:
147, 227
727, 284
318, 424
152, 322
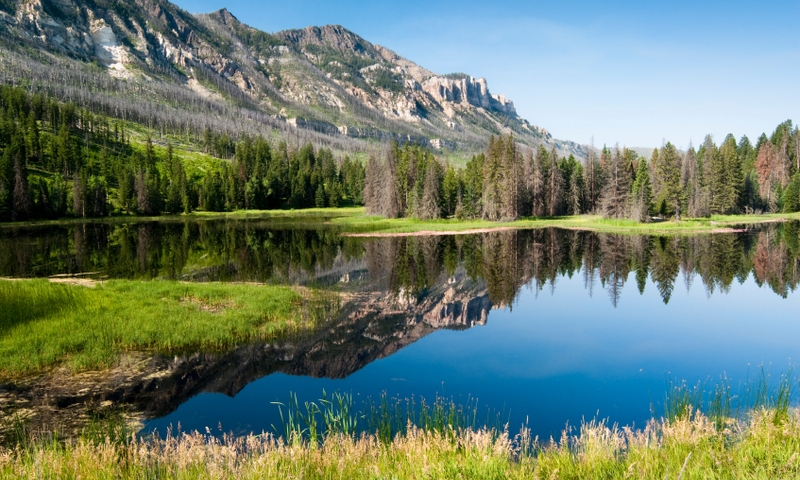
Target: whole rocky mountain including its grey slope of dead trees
151, 62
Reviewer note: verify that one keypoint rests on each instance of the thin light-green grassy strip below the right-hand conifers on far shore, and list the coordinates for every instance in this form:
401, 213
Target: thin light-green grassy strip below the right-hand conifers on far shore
364, 224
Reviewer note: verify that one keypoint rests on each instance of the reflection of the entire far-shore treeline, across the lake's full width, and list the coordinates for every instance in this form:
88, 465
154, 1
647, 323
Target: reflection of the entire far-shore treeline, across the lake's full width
506, 261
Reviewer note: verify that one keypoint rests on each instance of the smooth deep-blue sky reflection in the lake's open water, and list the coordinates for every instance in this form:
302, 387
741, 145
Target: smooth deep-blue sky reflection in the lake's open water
559, 355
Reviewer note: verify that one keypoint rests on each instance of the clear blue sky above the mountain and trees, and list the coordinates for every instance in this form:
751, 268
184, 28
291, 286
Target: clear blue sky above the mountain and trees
633, 72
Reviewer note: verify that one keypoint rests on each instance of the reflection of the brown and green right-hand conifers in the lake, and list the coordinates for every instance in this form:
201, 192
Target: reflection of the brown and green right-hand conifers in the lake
507, 261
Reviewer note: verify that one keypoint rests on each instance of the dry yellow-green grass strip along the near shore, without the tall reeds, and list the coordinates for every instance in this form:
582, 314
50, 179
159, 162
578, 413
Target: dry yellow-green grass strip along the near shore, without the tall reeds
688, 447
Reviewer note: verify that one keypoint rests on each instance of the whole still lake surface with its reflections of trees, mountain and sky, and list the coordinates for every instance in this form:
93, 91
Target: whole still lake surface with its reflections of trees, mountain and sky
539, 327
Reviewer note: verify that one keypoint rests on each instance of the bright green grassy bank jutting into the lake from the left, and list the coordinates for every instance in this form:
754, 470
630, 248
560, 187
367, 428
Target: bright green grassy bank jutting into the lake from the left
43, 324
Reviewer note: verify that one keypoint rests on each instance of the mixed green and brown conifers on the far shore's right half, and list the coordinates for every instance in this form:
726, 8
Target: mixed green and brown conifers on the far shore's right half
508, 181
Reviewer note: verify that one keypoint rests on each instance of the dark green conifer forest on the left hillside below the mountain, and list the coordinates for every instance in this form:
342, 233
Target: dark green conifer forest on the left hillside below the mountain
58, 160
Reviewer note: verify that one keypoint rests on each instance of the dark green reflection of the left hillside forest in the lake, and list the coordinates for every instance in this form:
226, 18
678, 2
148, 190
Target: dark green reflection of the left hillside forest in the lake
193, 251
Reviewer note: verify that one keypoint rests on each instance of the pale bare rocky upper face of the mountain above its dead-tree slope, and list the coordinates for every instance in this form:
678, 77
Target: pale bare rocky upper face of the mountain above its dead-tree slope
325, 79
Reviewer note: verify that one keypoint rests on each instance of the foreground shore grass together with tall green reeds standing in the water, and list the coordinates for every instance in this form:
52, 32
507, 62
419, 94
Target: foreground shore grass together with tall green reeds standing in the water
330, 439
